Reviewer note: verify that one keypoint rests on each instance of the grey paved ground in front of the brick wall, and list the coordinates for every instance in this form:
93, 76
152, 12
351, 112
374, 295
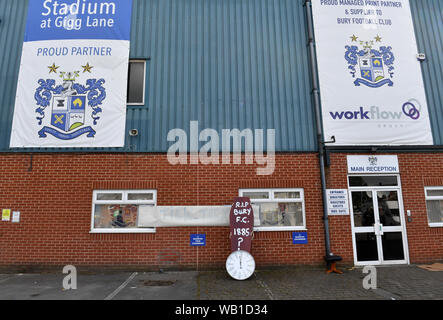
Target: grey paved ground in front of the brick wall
298, 283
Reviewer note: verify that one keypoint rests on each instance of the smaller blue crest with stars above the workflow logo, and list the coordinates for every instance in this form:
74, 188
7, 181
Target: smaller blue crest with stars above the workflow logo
370, 67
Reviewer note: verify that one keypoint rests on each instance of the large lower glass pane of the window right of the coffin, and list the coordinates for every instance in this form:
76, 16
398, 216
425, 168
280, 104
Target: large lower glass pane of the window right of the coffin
281, 214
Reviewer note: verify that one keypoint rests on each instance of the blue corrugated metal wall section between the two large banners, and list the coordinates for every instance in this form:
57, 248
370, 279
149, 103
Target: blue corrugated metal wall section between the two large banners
226, 63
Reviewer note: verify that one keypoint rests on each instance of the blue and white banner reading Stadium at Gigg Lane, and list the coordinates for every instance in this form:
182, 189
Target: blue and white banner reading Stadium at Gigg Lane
72, 83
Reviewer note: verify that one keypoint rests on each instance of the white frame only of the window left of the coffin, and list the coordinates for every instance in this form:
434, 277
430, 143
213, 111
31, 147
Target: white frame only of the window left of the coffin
123, 201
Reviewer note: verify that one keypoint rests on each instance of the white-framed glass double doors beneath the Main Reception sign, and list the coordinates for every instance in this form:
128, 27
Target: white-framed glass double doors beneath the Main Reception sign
378, 226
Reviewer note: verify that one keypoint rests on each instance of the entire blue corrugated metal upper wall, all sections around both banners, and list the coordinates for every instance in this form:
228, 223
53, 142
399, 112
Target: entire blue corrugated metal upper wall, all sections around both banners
226, 63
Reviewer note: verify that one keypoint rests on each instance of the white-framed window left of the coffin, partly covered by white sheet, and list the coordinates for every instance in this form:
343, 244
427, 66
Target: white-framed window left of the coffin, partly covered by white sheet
117, 211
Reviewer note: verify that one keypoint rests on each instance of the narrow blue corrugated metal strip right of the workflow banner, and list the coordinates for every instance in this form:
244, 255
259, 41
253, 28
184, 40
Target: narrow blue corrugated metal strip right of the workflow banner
428, 22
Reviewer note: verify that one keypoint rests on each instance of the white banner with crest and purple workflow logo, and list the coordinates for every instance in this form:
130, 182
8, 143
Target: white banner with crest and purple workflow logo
371, 84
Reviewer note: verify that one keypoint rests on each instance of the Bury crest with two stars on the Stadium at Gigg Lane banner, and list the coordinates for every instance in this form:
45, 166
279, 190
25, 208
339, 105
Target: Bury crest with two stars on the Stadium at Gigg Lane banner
70, 106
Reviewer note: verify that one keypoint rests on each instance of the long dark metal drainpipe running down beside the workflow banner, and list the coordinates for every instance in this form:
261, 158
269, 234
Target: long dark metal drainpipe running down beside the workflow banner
320, 141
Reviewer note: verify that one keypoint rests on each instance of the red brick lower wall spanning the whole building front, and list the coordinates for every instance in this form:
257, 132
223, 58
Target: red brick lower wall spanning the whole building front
53, 192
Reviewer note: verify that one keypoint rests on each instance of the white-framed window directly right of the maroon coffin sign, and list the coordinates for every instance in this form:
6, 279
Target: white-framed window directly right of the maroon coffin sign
280, 209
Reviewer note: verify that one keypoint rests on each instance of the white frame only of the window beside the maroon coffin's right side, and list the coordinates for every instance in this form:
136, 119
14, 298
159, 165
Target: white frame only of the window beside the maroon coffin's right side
271, 193
